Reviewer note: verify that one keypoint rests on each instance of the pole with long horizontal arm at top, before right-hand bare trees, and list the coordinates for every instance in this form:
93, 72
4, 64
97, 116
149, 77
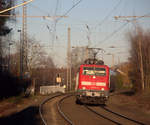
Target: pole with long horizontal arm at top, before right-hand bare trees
139, 44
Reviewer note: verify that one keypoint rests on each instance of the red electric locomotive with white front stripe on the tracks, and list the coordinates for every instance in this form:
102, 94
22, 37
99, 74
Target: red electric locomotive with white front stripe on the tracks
93, 83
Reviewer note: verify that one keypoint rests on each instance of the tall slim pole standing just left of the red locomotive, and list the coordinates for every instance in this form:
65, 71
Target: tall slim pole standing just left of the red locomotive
69, 61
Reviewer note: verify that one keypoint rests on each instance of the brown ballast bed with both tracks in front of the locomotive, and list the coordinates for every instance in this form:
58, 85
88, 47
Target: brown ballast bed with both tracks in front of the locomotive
72, 114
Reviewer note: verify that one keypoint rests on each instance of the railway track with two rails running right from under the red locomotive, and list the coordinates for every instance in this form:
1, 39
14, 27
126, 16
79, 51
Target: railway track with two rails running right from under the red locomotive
111, 118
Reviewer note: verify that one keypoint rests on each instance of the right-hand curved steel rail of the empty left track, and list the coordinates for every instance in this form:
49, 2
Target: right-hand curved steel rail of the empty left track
61, 112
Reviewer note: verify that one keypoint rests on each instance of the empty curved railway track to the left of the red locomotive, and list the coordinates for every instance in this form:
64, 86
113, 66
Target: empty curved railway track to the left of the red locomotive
58, 106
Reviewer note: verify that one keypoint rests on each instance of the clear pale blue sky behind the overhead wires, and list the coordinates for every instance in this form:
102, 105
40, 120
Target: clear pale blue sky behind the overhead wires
89, 12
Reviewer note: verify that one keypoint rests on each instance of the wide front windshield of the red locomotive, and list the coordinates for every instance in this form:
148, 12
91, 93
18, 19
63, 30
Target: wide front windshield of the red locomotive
94, 71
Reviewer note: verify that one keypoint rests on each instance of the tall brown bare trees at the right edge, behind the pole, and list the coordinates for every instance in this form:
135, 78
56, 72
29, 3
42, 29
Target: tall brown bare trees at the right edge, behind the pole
134, 73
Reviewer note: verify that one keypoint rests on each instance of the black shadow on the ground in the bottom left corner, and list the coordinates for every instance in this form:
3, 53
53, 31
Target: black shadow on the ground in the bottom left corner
28, 116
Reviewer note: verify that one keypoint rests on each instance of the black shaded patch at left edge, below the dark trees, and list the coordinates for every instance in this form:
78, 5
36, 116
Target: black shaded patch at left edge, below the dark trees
12, 85
